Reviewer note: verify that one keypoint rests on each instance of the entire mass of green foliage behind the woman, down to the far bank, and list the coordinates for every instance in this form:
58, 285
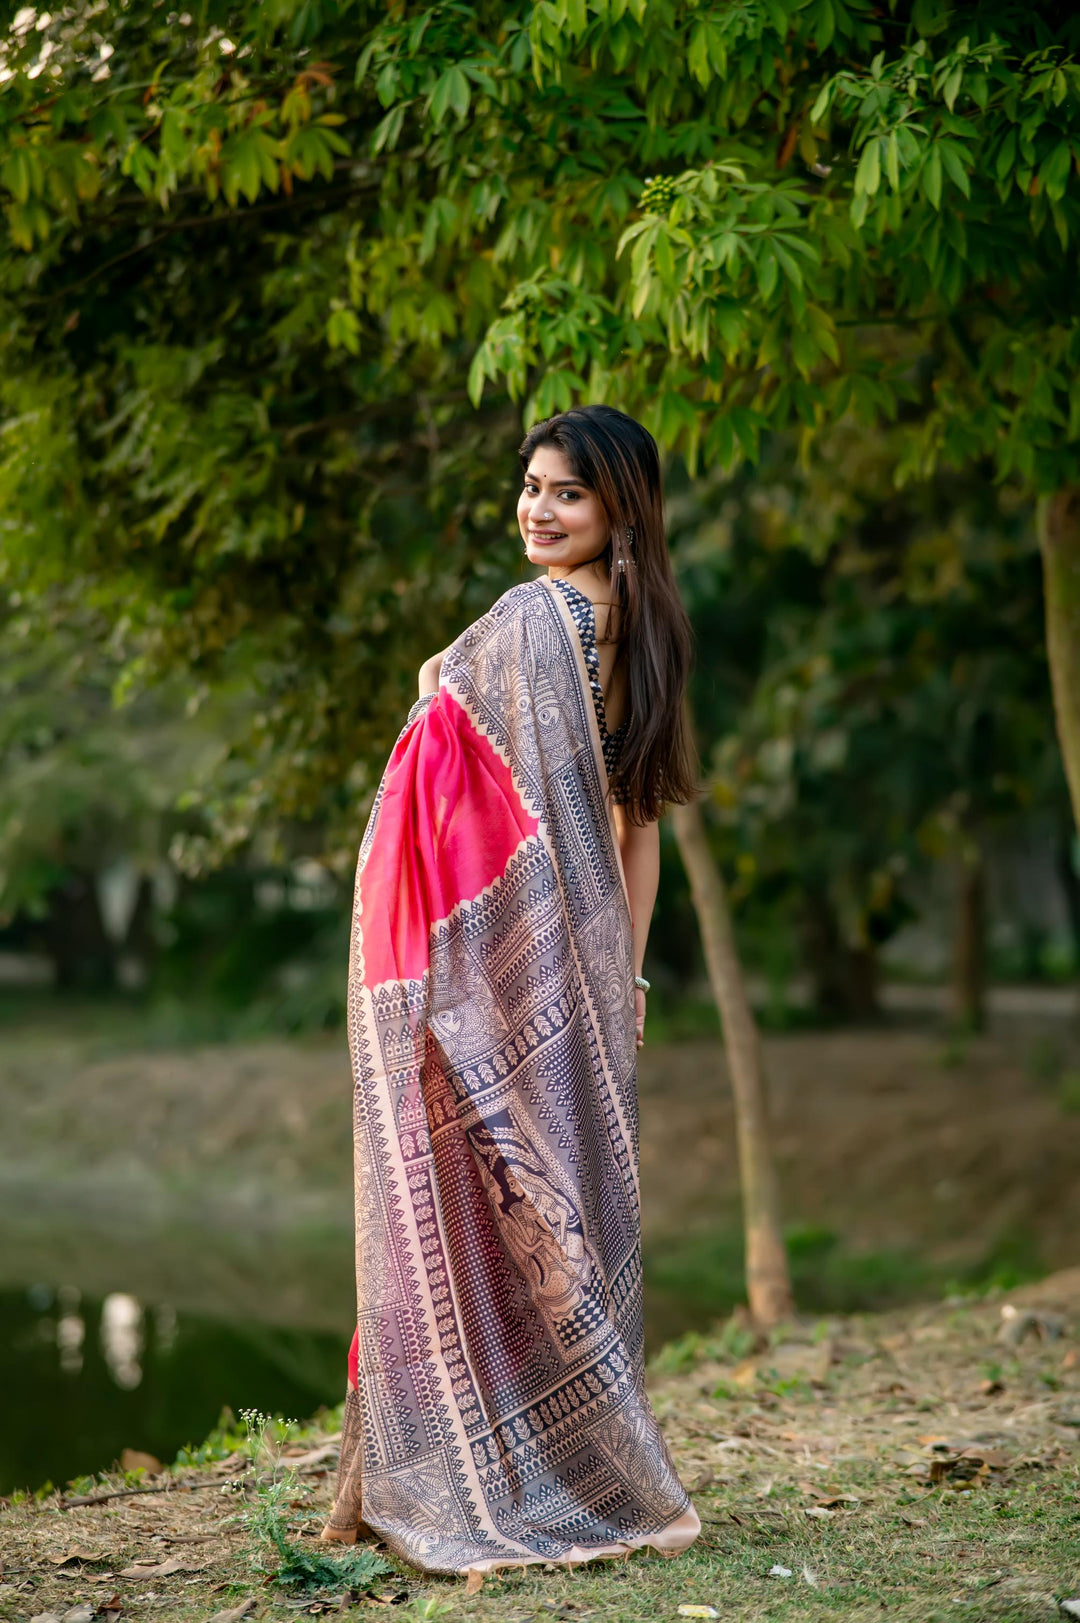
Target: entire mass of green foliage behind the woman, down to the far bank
251, 257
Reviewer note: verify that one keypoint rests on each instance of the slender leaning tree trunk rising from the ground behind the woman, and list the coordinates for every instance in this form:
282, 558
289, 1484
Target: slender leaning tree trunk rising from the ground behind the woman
769, 1281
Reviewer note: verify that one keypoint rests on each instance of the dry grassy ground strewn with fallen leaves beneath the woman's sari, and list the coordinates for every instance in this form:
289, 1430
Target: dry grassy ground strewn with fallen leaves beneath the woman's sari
754, 1450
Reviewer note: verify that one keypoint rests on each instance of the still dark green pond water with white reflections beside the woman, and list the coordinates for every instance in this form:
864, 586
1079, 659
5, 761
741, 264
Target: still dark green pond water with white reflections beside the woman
140, 1338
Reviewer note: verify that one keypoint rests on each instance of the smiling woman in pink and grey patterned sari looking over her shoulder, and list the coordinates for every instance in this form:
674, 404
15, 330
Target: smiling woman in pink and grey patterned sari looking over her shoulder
496, 1411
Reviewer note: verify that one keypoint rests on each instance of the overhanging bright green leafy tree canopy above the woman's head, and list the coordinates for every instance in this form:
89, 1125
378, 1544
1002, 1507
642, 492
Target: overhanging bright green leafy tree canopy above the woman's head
254, 254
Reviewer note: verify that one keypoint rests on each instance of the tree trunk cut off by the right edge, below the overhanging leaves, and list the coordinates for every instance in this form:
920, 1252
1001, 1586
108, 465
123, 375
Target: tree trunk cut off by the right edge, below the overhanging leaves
1060, 541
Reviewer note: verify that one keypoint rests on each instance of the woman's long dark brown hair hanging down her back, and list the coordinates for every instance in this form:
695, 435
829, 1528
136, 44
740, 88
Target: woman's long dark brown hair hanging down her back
618, 460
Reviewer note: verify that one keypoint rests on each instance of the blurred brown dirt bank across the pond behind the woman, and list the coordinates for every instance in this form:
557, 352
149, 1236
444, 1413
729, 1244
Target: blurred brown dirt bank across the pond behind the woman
889, 1139
